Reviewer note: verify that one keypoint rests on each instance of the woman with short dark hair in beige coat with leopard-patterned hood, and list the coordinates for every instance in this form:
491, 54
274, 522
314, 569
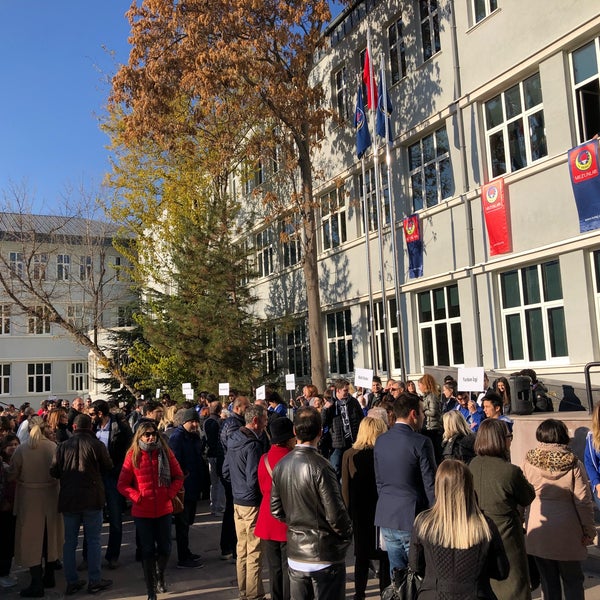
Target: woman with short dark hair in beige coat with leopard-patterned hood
560, 521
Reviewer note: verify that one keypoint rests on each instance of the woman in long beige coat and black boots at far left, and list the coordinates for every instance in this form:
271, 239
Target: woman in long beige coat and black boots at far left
36, 509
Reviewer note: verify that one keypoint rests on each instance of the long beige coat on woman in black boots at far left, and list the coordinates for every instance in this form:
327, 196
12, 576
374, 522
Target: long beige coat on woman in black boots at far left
36, 504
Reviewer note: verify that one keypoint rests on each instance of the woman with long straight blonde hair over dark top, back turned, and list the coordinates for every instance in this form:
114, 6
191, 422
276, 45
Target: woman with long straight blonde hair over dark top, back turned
454, 547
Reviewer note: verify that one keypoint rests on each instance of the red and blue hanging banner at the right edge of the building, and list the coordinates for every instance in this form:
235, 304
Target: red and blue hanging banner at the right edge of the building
583, 167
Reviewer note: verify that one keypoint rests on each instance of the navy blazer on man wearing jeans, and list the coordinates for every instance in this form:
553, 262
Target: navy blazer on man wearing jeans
405, 476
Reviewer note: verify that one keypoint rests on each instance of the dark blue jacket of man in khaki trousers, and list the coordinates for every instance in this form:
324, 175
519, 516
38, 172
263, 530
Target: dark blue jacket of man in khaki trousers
240, 468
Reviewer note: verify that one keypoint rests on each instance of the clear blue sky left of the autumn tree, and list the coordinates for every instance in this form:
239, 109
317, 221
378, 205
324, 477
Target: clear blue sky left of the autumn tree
56, 58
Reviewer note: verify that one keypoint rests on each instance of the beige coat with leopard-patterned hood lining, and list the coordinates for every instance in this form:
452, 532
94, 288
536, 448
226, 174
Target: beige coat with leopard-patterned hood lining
563, 510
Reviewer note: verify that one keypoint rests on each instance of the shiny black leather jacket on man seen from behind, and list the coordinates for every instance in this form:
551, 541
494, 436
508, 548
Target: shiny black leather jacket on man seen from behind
306, 495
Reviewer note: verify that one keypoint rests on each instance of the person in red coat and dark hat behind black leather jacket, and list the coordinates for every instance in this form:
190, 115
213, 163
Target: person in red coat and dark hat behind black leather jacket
268, 528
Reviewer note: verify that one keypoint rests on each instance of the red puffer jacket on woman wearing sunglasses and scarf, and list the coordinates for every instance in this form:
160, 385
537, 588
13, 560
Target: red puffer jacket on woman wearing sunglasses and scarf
140, 485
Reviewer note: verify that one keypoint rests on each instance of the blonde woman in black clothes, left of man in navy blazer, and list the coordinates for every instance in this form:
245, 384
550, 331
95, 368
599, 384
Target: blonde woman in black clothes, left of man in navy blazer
359, 491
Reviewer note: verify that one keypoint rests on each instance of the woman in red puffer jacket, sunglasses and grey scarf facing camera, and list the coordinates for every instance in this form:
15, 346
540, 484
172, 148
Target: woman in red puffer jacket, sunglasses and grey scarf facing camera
151, 478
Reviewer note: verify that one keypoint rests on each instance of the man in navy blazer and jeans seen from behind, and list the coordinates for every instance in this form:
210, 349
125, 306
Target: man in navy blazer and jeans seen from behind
405, 477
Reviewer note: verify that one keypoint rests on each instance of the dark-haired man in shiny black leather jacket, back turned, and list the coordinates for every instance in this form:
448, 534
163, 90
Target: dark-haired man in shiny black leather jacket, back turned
306, 495
